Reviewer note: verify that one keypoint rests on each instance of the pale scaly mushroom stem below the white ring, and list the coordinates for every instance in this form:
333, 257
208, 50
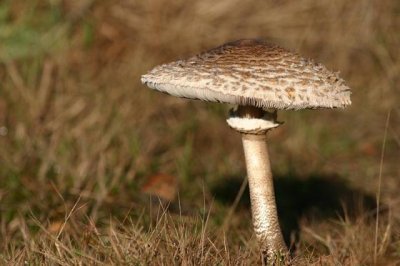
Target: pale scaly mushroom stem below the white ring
262, 196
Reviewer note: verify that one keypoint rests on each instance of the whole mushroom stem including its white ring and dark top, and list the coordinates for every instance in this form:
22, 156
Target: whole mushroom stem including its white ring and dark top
253, 123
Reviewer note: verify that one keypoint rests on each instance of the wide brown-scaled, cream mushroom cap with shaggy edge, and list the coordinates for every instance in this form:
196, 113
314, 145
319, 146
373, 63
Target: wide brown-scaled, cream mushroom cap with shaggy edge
251, 72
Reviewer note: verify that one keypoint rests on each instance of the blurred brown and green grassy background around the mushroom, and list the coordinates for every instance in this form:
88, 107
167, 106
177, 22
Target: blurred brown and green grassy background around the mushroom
86, 150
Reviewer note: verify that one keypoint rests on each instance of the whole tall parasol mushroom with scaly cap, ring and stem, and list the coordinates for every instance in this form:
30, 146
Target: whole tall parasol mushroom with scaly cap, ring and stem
259, 78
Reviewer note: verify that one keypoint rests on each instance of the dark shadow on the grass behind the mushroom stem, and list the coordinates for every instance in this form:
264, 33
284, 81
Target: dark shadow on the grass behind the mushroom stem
317, 196
